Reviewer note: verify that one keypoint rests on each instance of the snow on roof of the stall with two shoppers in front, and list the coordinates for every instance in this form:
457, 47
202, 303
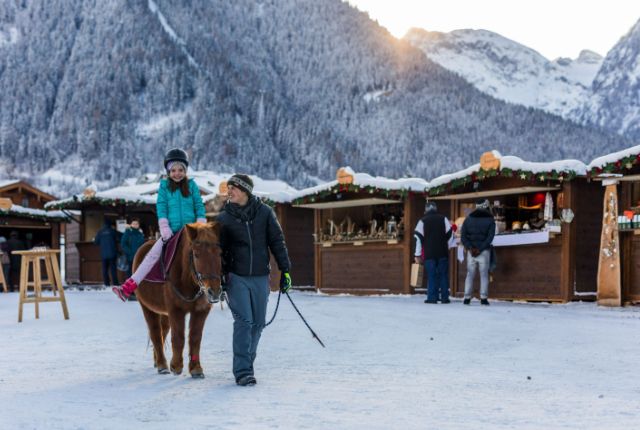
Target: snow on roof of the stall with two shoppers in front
515, 163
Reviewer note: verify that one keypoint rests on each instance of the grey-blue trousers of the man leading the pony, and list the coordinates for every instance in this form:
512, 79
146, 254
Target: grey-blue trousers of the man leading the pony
248, 297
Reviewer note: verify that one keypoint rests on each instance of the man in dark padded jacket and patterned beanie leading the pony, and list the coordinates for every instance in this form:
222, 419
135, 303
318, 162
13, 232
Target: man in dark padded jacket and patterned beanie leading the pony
249, 231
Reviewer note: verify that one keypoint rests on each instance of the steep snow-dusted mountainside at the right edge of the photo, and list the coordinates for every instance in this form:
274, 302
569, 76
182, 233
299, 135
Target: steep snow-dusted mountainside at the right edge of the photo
614, 102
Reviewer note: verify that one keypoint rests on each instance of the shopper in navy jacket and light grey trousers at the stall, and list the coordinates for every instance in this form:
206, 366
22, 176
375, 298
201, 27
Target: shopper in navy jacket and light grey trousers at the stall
477, 234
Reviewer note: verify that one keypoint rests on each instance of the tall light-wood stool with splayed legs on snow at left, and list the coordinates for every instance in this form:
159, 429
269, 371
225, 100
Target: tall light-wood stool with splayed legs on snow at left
31, 261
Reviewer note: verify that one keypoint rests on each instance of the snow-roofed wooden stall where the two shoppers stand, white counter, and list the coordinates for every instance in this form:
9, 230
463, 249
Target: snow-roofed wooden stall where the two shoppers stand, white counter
547, 226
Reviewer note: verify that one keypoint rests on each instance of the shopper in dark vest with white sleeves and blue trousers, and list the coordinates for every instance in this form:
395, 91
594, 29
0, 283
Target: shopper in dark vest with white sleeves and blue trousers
432, 236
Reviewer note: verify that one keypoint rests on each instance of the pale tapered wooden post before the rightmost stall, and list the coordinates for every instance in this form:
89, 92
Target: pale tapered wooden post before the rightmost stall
609, 289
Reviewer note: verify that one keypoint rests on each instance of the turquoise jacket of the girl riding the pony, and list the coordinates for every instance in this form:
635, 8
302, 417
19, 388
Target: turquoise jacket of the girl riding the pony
177, 209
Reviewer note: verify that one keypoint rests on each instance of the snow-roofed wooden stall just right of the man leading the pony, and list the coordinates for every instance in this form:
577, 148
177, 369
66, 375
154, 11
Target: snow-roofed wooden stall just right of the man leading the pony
362, 232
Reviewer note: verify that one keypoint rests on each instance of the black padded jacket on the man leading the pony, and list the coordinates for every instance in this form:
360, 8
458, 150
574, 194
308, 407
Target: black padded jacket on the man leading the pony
248, 234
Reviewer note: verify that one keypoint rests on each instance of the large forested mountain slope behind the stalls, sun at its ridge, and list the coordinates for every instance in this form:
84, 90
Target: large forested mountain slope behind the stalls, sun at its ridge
96, 91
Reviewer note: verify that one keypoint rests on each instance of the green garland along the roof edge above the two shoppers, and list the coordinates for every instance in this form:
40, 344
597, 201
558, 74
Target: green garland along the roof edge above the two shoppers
481, 175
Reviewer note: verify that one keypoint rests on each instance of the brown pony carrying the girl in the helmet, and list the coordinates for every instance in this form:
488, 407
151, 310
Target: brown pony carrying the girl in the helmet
196, 267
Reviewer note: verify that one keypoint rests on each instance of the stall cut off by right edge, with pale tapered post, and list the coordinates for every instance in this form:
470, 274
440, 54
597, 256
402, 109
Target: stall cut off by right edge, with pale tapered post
619, 173
